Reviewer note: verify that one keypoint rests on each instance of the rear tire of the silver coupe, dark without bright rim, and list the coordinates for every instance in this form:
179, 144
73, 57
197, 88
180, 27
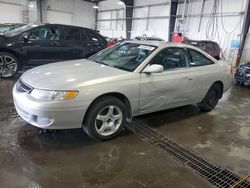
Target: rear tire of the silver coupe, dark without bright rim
211, 99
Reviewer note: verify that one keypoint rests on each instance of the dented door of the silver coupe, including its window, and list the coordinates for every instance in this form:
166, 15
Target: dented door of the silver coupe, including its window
171, 88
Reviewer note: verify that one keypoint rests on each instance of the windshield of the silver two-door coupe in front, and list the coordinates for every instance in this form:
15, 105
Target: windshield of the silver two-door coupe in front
125, 56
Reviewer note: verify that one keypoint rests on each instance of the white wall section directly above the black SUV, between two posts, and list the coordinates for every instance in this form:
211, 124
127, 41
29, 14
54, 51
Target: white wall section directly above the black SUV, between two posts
73, 12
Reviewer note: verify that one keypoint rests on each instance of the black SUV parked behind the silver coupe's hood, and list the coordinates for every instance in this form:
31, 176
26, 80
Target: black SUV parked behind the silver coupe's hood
33, 45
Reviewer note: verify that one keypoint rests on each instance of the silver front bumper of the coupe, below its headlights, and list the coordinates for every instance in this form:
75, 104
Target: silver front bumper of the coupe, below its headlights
48, 114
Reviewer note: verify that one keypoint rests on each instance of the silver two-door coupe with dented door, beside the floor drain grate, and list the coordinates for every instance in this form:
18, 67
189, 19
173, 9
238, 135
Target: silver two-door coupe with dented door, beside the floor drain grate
100, 93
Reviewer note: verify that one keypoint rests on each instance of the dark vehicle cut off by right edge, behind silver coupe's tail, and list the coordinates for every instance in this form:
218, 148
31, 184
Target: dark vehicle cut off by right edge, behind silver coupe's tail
242, 74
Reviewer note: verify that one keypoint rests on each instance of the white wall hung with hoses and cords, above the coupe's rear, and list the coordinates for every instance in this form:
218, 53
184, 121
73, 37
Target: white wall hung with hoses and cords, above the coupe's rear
225, 29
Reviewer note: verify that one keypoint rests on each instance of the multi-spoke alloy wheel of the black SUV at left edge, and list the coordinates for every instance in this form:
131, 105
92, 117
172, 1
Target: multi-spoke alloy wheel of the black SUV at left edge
9, 65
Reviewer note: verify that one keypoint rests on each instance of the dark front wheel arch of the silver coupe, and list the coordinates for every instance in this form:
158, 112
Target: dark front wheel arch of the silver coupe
118, 95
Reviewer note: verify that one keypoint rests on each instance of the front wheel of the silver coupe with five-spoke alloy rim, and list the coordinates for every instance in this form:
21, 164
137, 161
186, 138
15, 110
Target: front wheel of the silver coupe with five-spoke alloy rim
105, 119
